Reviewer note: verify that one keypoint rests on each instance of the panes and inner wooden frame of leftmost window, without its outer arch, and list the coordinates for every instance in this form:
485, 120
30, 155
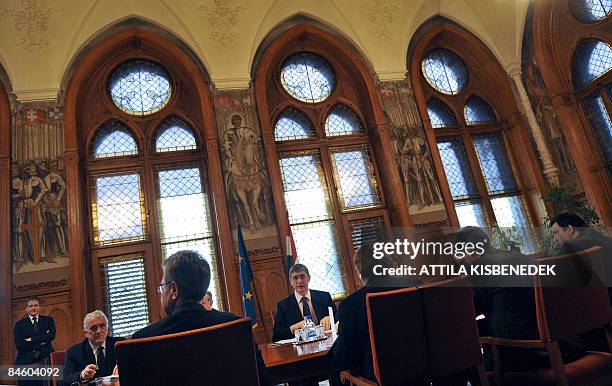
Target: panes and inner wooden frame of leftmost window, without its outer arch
147, 185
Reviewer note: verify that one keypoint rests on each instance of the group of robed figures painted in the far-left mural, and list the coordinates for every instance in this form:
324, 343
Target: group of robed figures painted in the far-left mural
39, 214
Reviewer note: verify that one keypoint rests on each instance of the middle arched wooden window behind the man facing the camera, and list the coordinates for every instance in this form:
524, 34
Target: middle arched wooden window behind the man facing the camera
323, 165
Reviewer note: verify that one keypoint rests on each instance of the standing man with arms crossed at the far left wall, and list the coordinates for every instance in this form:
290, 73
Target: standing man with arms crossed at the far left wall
33, 336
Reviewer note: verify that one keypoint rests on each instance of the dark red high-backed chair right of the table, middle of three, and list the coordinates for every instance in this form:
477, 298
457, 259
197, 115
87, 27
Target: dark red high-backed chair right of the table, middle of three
419, 335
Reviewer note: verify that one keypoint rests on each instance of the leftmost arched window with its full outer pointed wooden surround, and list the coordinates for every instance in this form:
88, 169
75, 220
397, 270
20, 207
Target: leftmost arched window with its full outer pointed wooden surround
146, 196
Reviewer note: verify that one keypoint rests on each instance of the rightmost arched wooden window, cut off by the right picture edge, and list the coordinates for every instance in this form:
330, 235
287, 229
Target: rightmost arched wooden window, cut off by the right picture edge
572, 47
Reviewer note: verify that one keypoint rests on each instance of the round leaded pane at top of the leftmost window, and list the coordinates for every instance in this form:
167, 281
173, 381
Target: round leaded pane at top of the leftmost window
140, 87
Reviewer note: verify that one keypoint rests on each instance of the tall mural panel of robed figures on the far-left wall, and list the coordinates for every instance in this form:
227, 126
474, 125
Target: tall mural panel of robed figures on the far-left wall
38, 189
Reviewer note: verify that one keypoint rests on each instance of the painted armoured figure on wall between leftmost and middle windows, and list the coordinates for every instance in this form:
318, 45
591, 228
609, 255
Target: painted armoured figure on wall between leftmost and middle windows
246, 176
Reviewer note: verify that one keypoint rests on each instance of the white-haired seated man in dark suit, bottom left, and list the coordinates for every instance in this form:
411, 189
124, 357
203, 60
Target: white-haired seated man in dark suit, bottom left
95, 355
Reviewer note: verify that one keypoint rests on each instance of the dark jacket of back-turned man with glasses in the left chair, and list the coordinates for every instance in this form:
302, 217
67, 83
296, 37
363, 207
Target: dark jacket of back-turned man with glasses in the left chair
192, 316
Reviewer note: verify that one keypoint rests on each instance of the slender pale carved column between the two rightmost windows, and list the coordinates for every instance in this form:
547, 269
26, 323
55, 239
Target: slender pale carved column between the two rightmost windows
551, 172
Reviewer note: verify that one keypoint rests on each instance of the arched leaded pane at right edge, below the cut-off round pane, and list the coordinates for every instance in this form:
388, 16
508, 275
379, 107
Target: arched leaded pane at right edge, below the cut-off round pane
592, 59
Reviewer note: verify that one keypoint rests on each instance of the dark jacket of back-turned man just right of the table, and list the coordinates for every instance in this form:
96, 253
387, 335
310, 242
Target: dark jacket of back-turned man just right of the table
352, 350
